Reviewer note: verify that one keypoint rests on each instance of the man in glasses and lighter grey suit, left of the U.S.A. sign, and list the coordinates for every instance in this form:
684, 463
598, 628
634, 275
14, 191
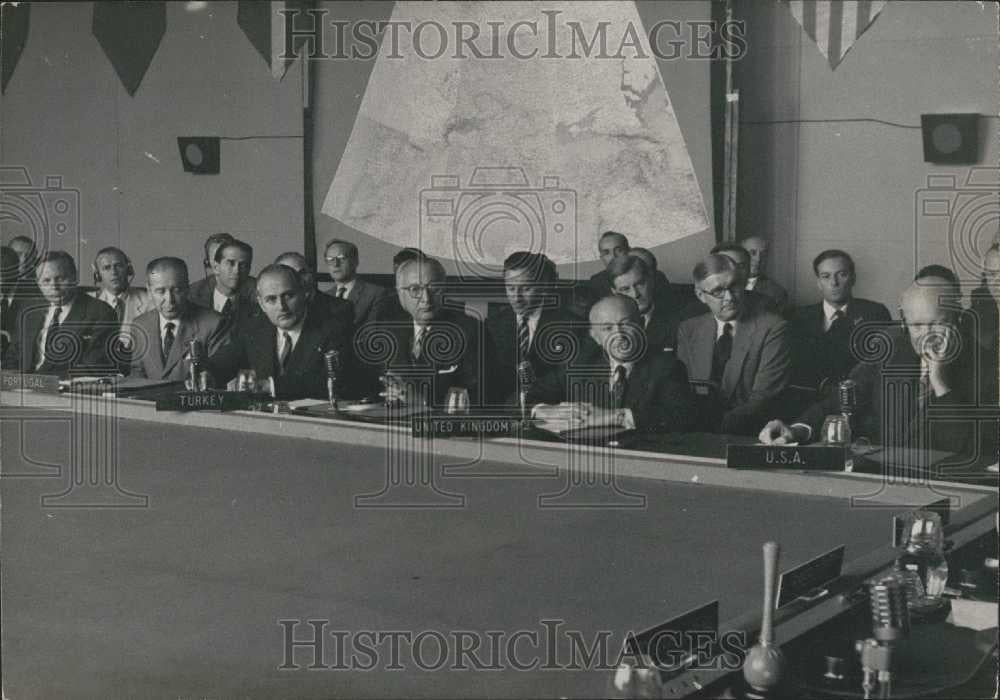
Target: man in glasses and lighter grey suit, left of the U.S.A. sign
739, 351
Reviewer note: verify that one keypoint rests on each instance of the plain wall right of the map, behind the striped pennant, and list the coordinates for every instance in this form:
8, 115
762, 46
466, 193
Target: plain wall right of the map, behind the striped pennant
858, 186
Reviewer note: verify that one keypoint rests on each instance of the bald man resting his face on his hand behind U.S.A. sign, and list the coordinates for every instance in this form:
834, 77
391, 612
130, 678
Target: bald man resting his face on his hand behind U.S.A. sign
928, 367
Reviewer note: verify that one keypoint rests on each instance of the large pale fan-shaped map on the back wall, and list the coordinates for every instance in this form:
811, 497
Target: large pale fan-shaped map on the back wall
471, 157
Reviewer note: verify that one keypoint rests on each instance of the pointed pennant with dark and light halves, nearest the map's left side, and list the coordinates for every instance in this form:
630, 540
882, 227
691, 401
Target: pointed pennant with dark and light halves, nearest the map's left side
264, 26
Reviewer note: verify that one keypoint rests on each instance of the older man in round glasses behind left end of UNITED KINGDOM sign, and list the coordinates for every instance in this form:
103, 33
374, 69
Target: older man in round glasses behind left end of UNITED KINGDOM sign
433, 348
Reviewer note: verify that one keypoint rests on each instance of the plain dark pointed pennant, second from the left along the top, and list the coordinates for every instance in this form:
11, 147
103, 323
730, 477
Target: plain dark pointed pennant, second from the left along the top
130, 33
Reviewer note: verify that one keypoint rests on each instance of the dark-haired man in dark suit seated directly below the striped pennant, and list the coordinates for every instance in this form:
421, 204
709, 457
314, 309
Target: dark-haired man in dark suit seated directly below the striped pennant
821, 333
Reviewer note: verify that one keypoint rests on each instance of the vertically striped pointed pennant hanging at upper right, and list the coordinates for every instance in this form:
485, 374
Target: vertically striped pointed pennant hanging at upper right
835, 24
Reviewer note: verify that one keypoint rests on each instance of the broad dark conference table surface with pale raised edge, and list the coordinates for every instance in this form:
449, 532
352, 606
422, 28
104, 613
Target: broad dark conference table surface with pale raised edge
177, 554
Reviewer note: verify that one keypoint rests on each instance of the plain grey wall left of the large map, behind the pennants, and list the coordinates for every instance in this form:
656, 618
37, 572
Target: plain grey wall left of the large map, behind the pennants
65, 113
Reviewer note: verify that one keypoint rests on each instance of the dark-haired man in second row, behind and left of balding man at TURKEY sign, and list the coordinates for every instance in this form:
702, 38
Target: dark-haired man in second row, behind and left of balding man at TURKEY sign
233, 293
